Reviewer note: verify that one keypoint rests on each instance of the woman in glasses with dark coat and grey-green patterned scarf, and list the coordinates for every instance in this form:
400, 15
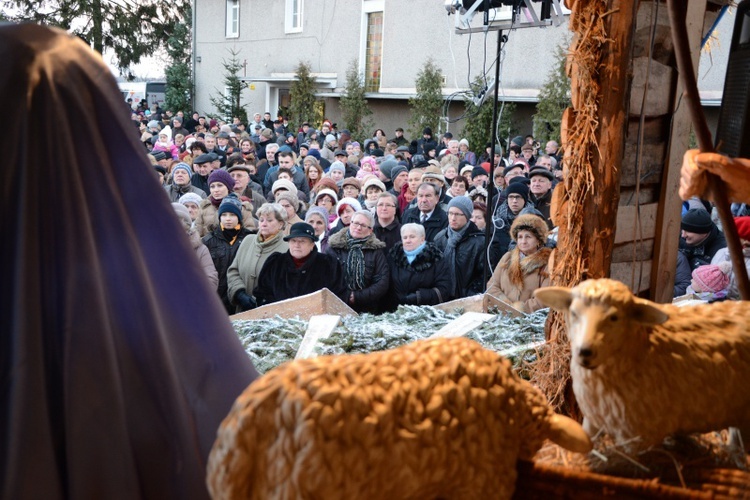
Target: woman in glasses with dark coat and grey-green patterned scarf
364, 263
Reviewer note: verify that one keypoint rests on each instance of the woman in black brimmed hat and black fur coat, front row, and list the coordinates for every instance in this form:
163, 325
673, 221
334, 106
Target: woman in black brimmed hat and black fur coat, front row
300, 270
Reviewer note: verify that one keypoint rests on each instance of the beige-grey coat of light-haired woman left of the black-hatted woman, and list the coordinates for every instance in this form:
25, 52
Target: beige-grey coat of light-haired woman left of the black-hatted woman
252, 254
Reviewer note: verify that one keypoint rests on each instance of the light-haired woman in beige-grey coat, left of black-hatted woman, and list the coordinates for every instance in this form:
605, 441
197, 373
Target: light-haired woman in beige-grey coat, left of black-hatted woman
253, 253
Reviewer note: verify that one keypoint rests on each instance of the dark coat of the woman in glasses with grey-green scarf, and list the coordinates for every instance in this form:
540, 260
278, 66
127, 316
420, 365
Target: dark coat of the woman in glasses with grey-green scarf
377, 275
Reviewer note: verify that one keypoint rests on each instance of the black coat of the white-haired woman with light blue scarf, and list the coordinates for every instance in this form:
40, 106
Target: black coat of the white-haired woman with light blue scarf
424, 282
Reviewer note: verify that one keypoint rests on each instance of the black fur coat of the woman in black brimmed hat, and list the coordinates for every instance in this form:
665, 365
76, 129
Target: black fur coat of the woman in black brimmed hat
279, 279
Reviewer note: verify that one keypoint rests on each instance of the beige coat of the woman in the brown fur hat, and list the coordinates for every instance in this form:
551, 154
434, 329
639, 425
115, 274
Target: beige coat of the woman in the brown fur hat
514, 282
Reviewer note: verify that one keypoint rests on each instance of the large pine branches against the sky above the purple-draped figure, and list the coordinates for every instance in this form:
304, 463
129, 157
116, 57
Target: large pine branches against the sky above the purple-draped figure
130, 30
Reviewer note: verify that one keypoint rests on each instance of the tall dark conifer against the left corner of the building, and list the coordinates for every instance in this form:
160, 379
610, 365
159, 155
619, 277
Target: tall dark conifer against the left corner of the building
179, 77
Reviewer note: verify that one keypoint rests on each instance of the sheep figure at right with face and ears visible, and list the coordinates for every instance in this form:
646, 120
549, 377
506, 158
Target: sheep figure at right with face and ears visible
643, 371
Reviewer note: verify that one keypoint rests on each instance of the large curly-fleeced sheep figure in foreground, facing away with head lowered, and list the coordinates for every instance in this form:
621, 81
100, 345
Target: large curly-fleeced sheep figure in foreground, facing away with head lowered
435, 418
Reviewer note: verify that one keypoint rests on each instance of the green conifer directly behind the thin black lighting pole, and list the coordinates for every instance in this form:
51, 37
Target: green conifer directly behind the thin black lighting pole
478, 127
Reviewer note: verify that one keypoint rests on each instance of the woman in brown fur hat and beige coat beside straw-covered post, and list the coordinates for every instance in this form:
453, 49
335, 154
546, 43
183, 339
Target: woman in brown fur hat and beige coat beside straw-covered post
525, 268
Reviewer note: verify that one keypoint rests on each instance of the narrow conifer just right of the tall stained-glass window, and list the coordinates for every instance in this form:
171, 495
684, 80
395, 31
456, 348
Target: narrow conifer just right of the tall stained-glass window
427, 105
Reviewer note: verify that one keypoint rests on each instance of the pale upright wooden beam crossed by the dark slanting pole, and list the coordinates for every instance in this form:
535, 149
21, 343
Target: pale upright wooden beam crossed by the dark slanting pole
669, 214
